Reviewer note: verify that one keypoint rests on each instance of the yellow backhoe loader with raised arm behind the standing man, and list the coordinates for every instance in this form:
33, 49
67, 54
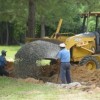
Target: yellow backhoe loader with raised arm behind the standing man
84, 47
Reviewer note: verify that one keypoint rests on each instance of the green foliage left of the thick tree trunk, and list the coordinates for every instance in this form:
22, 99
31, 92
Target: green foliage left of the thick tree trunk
15, 12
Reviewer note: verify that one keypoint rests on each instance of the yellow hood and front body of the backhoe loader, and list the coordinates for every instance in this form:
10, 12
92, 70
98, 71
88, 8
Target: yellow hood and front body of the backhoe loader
80, 46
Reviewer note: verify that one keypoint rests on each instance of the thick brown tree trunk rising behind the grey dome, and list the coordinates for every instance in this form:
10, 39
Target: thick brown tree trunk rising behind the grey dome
31, 20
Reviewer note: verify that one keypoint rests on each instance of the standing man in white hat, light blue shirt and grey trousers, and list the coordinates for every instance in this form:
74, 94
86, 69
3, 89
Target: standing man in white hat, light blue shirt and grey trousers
64, 58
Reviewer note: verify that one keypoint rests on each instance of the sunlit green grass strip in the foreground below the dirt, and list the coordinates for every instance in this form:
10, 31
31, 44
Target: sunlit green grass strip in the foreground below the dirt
13, 89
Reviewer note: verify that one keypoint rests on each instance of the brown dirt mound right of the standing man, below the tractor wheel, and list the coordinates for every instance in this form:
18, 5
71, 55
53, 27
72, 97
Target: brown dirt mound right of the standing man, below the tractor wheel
81, 74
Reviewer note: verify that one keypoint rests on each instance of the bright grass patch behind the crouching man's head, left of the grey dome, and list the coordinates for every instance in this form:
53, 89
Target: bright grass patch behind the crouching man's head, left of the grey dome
11, 51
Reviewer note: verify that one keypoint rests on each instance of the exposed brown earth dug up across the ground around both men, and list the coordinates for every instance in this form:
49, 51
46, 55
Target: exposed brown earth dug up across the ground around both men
89, 80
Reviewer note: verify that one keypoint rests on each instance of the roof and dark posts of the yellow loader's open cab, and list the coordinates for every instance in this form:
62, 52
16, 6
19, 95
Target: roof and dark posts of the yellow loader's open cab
97, 27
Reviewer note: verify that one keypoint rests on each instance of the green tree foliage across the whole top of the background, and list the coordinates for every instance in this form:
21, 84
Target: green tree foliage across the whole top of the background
16, 12
